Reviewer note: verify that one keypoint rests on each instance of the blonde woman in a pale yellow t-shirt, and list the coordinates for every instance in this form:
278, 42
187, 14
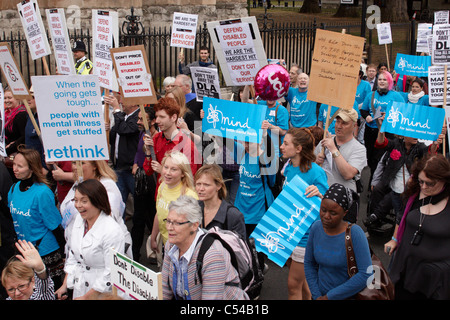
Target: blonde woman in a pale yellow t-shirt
176, 180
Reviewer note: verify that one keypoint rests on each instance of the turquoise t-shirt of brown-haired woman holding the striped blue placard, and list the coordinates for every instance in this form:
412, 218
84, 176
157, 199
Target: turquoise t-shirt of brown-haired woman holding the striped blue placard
315, 176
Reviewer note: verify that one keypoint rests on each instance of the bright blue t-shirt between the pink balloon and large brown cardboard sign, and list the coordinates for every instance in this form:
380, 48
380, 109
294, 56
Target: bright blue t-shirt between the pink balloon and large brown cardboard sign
302, 111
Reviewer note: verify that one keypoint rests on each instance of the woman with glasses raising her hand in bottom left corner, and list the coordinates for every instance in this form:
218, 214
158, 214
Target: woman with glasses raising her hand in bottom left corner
25, 276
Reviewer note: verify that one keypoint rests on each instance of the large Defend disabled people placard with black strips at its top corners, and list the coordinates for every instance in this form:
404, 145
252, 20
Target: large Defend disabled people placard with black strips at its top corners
239, 49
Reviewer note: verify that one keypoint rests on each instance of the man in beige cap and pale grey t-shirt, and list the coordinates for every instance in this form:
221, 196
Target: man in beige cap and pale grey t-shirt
344, 157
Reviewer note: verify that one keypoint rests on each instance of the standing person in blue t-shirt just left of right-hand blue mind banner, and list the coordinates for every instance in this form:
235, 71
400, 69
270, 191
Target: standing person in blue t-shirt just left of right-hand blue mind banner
373, 107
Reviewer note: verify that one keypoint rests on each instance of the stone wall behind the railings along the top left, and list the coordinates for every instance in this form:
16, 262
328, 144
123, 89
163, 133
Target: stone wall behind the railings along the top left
153, 13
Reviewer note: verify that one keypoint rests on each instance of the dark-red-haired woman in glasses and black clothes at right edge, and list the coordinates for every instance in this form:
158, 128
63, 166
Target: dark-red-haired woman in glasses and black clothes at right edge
421, 265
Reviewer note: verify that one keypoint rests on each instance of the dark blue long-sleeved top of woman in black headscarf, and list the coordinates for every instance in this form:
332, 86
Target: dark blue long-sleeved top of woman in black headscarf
326, 263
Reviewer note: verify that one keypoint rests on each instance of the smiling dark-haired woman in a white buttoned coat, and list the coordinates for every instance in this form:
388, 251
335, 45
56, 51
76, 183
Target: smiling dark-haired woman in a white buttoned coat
94, 233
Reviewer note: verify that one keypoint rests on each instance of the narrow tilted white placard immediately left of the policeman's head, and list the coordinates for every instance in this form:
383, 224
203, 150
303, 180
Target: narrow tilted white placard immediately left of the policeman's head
60, 40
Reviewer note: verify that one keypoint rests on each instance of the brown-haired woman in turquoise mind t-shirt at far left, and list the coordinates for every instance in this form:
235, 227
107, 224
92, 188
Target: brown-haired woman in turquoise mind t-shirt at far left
35, 215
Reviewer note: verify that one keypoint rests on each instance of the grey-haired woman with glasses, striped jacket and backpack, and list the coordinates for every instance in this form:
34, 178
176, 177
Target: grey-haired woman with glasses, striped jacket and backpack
179, 272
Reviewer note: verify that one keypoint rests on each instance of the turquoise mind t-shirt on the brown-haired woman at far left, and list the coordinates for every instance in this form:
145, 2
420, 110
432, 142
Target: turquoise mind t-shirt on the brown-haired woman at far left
35, 215
